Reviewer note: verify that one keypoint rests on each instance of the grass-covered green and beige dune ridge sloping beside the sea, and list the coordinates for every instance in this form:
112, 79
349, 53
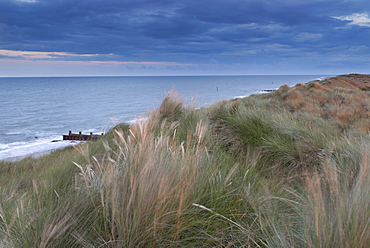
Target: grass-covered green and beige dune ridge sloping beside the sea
289, 168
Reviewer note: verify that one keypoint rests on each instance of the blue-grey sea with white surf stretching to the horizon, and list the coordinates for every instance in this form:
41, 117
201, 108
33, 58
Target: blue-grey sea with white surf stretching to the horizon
35, 112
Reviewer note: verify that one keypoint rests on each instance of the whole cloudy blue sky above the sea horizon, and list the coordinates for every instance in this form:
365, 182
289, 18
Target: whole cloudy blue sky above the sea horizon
183, 37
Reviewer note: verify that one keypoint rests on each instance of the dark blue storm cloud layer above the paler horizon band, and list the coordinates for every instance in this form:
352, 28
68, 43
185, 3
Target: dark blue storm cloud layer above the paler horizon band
186, 31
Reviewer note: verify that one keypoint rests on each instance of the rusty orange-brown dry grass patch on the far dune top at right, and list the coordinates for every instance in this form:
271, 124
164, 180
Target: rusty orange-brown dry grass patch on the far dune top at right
343, 98
